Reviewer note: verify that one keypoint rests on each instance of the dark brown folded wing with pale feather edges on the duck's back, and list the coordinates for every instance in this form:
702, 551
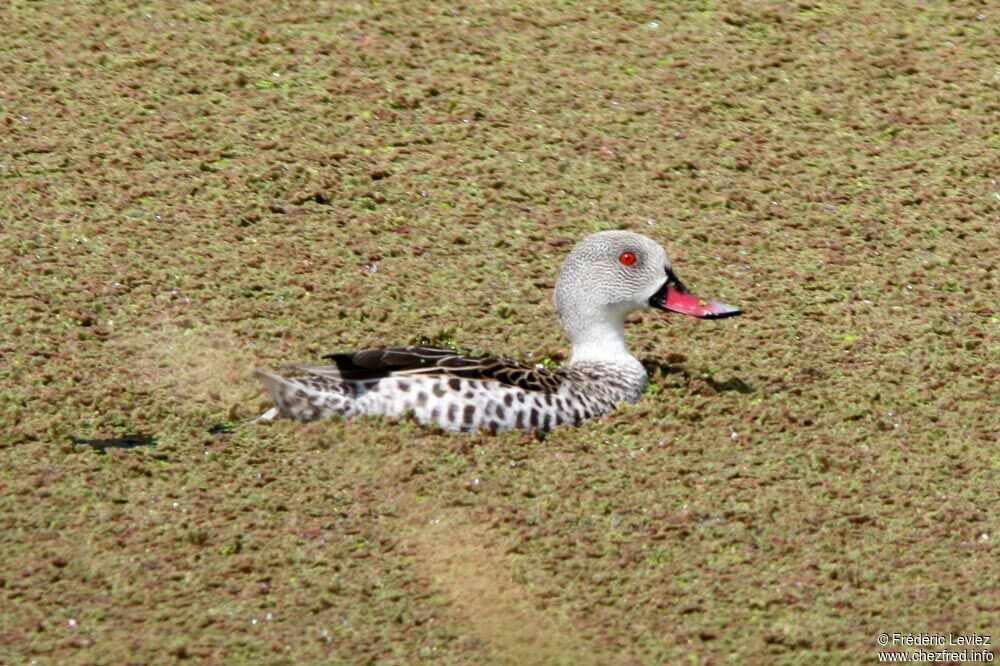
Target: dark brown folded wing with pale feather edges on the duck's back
416, 360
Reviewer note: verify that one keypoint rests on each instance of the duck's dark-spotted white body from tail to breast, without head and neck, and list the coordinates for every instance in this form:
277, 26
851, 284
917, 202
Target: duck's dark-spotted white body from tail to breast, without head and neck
506, 395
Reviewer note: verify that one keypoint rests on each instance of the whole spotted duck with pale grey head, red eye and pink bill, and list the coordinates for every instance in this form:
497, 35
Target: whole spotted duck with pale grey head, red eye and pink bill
606, 276
